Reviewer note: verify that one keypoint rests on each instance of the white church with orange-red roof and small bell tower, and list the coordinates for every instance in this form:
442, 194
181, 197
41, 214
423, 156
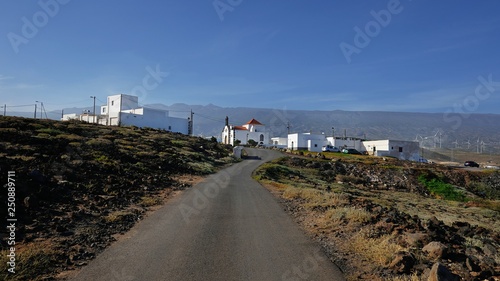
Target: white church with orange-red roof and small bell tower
252, 130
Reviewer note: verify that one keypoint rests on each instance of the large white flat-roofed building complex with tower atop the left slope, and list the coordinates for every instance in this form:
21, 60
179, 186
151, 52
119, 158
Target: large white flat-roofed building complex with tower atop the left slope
125, 110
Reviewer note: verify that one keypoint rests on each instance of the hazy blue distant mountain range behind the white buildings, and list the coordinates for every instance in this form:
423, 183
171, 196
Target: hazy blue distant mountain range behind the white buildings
468, 132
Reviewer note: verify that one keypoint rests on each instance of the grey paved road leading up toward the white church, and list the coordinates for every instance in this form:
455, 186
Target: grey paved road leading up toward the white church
225, 228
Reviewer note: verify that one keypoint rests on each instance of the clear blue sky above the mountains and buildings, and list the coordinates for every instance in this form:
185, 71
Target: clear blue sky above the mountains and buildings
408, 55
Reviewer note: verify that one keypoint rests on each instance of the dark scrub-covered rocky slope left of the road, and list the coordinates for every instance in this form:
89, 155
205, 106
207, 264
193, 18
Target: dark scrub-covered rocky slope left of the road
77, 185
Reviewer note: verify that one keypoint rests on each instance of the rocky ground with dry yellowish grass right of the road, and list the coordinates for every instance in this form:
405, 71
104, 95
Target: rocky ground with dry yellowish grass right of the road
387, 219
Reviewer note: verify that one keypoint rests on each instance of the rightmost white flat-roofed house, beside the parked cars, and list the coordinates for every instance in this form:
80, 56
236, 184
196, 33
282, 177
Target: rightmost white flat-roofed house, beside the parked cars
406, 150
